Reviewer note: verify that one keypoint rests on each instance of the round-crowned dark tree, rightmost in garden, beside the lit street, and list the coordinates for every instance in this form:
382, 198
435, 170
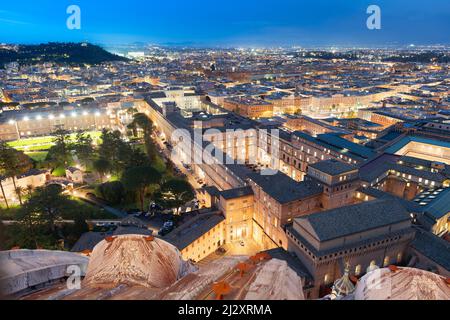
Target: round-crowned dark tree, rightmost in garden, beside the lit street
175, 192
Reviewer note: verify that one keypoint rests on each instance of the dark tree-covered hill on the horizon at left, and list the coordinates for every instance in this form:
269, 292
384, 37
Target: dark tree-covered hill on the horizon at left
65, 53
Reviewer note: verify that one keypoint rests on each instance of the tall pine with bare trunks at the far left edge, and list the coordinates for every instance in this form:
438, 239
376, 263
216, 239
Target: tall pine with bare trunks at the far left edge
13, 163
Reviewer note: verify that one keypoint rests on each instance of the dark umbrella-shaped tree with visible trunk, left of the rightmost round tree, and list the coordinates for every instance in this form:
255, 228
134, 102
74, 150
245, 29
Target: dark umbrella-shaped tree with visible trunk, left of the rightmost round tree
139, 179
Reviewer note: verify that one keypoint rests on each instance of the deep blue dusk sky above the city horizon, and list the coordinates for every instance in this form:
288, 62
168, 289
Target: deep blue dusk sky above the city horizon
227, 22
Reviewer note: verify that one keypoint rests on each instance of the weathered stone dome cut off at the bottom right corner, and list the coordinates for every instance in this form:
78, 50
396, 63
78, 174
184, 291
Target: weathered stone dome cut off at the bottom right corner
402, 284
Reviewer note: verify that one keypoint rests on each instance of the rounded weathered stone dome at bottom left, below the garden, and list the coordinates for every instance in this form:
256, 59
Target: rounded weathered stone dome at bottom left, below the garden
135, 260
